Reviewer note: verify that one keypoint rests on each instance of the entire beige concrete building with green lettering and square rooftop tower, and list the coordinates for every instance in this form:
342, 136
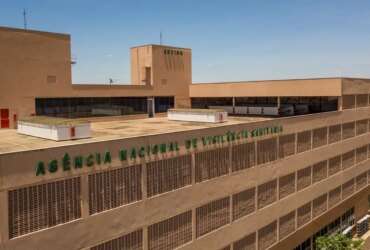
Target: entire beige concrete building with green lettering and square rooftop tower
242, 184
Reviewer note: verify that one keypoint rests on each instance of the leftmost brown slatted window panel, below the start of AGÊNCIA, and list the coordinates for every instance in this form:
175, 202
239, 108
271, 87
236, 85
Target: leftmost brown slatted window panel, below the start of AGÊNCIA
42, 206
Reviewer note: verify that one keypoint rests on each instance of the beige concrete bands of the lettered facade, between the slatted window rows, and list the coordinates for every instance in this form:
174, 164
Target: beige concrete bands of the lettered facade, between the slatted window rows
91, 230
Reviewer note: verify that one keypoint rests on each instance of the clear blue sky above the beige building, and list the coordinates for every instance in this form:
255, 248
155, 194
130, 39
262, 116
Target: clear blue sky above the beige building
231, 40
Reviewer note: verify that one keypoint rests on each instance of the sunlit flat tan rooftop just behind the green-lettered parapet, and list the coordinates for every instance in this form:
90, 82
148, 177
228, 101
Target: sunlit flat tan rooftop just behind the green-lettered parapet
12, 142
